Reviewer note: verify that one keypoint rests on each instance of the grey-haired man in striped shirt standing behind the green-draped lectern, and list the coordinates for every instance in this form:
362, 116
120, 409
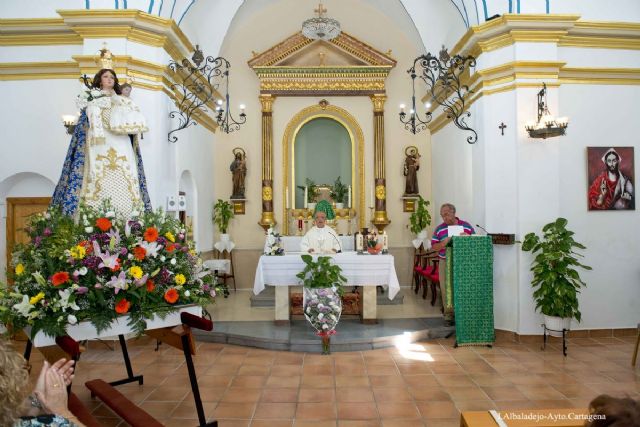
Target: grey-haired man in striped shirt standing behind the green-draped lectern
439, 243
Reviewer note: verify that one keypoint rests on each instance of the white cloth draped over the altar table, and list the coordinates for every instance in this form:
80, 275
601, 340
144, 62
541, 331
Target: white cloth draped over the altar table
360, 270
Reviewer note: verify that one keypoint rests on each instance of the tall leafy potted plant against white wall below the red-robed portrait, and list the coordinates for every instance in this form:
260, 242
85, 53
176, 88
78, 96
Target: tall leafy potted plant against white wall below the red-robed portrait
555, 276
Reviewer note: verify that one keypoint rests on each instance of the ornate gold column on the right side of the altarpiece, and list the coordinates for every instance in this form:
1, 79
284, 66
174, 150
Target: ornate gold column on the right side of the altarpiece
380, 219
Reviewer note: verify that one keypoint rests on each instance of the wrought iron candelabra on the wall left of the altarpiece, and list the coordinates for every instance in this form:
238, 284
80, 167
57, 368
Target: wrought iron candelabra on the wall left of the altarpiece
197, 82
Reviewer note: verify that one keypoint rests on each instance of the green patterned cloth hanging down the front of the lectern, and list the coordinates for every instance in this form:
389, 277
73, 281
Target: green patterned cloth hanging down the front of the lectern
471, 264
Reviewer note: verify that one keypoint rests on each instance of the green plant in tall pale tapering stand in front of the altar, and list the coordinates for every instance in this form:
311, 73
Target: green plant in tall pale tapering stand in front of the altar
322, 296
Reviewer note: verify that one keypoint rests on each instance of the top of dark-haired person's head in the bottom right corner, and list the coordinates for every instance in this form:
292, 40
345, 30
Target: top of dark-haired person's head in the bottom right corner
613, 412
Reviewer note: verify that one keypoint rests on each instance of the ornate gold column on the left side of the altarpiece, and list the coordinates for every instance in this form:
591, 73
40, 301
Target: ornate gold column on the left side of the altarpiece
267, 218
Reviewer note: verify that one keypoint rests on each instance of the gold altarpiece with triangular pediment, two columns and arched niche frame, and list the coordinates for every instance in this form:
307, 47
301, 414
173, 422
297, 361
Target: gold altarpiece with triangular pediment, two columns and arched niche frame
344, 66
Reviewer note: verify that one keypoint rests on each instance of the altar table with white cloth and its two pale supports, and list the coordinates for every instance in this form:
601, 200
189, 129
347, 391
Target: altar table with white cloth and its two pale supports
367, 271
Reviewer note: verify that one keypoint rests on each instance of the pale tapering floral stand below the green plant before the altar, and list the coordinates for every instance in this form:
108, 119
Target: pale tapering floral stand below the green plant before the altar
322, 308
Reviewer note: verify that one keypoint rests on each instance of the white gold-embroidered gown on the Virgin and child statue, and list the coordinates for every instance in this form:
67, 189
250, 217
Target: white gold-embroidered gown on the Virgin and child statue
110, 162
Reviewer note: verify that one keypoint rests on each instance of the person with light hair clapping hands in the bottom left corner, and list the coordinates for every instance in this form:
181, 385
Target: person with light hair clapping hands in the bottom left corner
47, 403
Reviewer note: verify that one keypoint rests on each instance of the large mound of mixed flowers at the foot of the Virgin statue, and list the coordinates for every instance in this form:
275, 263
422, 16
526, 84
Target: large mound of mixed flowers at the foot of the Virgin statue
99, 267
